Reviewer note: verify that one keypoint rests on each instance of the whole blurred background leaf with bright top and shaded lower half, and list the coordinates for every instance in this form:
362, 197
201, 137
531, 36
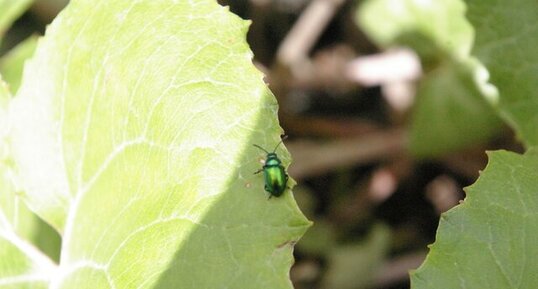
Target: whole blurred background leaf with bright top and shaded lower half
439, 33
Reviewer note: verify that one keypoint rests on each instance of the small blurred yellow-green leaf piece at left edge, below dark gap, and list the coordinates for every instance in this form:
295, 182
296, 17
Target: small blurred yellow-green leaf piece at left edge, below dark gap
12, 64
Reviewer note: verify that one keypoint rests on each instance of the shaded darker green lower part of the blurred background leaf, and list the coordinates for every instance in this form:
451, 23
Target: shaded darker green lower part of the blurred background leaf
450, 112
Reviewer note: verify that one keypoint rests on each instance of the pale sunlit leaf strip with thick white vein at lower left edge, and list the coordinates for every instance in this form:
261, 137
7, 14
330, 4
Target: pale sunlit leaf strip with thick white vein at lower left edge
21, 265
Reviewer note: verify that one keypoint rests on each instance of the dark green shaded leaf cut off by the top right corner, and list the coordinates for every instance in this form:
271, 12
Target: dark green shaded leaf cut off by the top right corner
506, 41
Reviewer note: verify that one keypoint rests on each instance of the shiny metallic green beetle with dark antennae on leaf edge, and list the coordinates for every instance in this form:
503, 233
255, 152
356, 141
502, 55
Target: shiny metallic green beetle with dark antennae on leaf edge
274, 173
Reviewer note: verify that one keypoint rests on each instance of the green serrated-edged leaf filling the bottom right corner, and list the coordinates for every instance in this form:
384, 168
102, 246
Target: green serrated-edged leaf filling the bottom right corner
489, 241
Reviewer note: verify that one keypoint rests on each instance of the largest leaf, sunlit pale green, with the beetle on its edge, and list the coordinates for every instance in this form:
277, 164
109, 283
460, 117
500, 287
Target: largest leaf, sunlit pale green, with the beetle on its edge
145, 113
